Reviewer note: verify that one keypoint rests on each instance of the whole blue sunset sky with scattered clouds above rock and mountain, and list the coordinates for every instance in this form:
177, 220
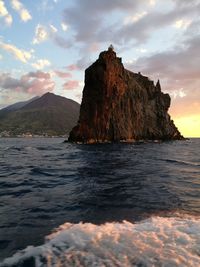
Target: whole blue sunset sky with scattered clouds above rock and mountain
46, 45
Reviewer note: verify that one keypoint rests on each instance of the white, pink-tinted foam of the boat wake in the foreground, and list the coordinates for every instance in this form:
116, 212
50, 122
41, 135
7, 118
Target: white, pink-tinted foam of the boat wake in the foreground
157, 241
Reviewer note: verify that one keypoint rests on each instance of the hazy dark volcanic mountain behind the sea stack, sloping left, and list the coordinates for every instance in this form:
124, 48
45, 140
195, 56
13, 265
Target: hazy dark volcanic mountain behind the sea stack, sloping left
49, 114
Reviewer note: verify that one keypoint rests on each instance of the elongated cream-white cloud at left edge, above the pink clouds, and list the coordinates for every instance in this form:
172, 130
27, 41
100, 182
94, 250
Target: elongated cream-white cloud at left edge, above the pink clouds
19, 54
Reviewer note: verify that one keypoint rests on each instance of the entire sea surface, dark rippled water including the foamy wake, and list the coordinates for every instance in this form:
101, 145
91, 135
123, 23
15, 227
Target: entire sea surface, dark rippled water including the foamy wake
102, 205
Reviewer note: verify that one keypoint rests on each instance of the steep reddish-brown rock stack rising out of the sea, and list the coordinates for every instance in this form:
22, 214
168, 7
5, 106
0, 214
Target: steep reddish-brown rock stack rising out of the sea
119, 105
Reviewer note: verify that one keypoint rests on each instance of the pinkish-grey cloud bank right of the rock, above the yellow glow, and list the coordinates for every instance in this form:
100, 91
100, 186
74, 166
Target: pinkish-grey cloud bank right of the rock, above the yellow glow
179, 73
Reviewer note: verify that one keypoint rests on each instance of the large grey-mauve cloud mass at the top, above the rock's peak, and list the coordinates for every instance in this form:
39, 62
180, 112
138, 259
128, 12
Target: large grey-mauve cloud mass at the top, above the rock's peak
136, 24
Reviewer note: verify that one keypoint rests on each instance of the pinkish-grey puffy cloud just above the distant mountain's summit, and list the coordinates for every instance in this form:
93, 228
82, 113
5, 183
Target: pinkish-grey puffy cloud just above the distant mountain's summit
34, 83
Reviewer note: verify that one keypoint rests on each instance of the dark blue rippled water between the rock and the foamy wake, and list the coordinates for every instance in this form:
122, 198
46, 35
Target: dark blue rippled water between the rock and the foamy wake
45, 183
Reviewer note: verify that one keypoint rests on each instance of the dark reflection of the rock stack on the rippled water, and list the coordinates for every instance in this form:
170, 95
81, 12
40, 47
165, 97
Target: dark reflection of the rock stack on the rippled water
117, 182
